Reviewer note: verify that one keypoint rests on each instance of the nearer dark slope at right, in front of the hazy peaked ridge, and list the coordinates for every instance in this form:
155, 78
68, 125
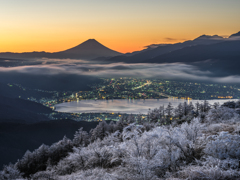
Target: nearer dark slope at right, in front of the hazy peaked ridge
223, 58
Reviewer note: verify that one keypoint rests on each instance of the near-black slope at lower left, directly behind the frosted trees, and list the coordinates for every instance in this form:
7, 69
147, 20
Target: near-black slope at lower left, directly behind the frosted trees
17, 138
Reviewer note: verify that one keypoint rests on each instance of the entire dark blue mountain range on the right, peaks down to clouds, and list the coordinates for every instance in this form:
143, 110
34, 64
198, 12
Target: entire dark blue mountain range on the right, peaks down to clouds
216, 54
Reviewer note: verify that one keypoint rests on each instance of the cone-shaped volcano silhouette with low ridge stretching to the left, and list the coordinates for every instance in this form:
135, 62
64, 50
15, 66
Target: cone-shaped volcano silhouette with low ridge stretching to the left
87, 50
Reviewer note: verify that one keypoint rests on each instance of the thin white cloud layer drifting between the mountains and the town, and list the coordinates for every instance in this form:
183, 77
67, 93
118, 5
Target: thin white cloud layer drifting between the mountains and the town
176, 71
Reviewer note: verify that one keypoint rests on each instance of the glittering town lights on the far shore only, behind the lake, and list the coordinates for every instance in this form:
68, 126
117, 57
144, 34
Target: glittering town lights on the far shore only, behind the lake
131, 88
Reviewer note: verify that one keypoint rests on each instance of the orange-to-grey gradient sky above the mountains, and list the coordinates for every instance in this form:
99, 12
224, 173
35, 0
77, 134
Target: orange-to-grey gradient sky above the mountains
122, 25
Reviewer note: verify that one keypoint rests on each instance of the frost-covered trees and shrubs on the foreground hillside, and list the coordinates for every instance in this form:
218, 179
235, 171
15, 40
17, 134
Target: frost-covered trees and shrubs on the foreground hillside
191, 141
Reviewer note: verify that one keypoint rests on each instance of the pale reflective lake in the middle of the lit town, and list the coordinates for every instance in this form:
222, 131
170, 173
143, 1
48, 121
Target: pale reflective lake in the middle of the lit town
123, 105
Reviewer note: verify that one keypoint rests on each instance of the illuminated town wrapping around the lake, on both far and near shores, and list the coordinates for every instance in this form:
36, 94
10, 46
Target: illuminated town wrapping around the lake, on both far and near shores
131, 88
